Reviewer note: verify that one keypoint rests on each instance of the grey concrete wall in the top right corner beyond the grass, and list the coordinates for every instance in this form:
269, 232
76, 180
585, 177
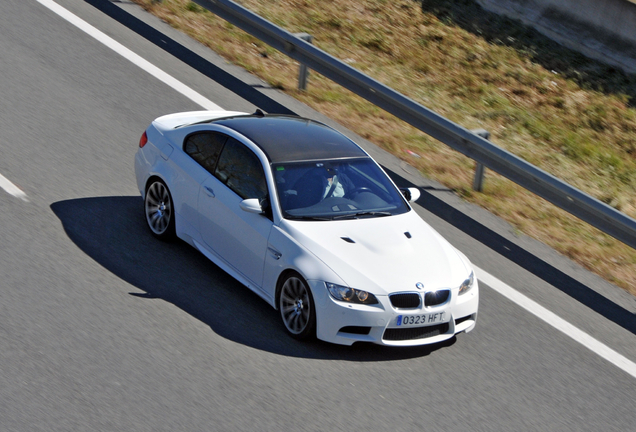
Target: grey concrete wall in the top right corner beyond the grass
601, 29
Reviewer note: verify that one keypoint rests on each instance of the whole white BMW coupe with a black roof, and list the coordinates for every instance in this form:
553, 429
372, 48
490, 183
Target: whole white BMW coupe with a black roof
306, 219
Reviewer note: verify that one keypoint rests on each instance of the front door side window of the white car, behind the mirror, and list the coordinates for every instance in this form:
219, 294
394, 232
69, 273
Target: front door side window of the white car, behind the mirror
240, 169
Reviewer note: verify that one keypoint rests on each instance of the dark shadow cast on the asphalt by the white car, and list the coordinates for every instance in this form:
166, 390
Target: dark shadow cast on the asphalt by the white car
111, 230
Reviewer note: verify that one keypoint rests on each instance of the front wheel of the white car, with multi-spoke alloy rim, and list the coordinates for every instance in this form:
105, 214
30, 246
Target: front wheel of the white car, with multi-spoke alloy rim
296, 306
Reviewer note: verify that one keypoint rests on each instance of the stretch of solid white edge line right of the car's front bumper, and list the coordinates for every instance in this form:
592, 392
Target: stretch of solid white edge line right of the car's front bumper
557, 322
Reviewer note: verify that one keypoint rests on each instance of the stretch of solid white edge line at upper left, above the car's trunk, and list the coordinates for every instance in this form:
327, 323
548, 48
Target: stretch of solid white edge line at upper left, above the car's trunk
131, 56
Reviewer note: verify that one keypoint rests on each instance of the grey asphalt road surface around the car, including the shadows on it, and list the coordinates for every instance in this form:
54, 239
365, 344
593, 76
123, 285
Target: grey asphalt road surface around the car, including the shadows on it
104, 328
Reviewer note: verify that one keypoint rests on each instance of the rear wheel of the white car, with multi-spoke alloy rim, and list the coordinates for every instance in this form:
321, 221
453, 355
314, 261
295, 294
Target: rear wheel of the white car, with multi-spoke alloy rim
159, 210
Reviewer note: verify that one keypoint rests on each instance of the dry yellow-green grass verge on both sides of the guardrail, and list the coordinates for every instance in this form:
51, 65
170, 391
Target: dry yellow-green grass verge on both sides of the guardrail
573, 117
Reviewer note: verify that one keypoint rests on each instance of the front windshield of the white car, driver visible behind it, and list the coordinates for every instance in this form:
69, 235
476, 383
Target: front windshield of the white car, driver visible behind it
341, 189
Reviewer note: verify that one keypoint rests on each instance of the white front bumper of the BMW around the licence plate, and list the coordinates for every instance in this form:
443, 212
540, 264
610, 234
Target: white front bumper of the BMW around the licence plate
344, 323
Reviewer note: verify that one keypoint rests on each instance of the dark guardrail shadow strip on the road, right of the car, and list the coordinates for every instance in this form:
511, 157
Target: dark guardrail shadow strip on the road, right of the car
518, 255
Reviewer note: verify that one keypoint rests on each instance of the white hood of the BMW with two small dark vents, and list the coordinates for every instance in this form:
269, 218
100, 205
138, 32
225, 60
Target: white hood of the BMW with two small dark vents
384, 254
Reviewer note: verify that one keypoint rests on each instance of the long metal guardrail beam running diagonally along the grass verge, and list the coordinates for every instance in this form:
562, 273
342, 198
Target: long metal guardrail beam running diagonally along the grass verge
576, 202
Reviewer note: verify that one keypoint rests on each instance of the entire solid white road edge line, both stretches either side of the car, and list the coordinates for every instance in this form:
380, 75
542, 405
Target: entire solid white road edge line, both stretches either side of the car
507, 291
